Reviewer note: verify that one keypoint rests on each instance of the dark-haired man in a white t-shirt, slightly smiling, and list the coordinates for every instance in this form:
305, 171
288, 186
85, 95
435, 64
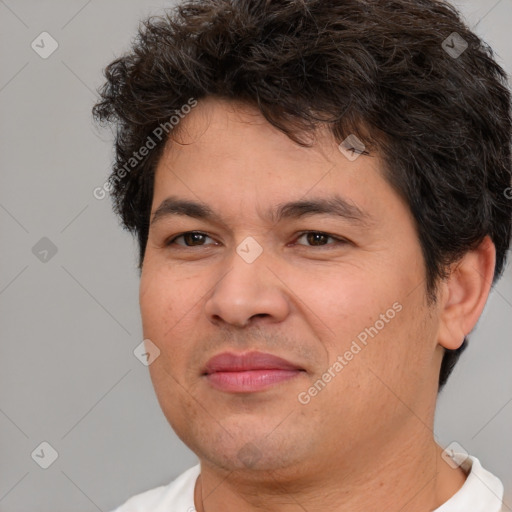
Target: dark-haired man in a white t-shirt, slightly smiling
319, 190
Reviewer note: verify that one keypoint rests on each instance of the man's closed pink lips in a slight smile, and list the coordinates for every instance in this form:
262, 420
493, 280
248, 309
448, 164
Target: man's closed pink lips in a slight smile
249, 372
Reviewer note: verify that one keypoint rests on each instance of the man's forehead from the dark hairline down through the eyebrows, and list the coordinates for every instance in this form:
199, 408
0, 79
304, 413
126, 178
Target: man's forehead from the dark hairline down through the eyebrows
226, 157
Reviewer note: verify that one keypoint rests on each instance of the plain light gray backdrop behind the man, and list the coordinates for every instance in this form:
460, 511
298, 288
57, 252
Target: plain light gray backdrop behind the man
69, 325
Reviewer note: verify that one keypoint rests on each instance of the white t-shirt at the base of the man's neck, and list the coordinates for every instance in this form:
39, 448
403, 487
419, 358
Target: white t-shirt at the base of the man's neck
481, 492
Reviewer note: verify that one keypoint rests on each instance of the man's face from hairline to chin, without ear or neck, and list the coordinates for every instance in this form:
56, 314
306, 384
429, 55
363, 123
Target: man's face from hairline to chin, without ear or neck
310, 299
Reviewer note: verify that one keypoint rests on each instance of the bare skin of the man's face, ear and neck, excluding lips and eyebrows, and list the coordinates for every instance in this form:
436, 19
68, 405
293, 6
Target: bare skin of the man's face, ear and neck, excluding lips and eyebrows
365, 442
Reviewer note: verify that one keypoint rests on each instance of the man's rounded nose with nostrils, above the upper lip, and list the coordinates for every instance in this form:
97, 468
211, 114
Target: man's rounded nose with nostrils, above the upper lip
248, 292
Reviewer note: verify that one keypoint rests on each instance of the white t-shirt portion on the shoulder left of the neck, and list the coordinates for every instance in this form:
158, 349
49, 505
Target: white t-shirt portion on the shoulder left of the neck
179, 493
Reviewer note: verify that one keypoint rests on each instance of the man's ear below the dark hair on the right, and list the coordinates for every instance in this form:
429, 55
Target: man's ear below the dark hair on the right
465, 293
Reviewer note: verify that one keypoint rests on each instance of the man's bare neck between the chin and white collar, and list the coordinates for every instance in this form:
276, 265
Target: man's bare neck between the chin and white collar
405, 473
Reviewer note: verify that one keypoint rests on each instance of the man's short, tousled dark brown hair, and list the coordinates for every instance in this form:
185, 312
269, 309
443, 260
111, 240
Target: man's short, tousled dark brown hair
379, 69
